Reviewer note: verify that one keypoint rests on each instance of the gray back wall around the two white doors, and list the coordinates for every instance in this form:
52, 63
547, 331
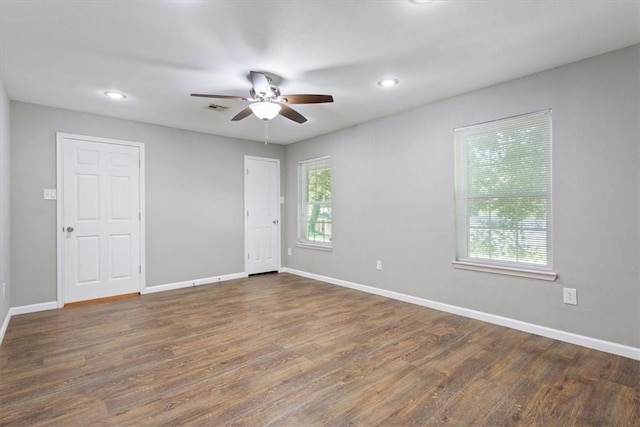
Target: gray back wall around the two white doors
194, 198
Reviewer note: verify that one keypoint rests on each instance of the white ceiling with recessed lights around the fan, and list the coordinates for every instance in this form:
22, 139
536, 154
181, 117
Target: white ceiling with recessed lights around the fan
67, 53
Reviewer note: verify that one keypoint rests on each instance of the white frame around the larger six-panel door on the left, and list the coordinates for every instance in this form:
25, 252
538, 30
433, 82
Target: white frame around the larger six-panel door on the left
60, 137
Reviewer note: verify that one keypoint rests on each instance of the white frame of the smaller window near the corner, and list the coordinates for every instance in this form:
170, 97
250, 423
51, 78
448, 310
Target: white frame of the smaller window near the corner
304, 166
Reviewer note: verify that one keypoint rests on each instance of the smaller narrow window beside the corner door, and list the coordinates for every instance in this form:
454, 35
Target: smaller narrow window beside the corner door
314, 183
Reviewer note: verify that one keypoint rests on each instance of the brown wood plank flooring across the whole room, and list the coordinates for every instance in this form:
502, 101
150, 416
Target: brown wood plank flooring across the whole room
278, 349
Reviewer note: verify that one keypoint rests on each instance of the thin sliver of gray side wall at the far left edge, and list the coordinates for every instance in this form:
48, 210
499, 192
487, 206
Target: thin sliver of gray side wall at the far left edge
5, 230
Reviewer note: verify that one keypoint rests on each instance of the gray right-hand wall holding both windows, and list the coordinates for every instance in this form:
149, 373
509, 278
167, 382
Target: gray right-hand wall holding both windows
393, 200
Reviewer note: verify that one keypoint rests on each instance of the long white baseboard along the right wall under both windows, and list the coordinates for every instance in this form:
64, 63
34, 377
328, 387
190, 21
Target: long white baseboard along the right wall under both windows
569, 337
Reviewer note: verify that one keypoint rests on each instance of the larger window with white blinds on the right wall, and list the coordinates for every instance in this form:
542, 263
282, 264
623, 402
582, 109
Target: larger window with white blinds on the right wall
503, 192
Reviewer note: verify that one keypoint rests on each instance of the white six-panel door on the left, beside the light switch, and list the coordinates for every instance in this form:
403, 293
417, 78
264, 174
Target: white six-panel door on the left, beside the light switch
101, 219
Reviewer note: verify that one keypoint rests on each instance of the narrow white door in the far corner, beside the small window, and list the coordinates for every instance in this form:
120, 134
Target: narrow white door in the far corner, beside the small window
262, 210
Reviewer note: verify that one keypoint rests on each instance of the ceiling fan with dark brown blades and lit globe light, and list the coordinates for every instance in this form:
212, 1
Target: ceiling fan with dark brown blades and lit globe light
267, 102
